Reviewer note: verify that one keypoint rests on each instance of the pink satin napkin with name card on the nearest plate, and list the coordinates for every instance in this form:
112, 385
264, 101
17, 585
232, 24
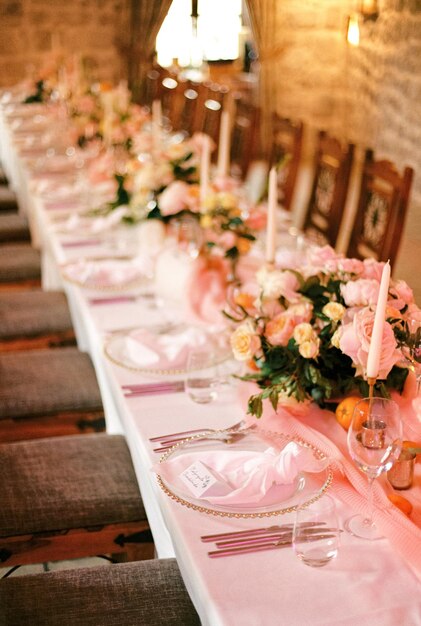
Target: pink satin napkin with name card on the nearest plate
252, 477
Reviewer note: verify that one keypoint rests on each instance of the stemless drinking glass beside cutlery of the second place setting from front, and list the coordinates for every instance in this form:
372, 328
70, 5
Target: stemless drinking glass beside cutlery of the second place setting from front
202, 376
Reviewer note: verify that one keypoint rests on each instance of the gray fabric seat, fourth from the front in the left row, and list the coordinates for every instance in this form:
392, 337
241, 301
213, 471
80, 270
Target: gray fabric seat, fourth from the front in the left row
33, 313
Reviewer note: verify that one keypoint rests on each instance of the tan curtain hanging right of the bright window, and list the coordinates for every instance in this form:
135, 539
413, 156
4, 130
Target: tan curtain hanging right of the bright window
265, 17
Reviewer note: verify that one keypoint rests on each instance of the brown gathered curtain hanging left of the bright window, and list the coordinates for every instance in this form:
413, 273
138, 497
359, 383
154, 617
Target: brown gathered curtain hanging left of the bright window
146, 17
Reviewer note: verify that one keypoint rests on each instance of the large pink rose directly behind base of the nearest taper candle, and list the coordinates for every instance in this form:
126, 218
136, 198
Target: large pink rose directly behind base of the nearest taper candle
355, 342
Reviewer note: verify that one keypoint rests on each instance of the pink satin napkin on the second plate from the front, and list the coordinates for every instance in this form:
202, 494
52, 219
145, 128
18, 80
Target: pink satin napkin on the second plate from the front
166, 351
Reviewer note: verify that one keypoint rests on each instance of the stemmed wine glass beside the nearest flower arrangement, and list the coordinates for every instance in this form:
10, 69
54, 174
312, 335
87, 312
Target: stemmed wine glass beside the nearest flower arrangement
374, 443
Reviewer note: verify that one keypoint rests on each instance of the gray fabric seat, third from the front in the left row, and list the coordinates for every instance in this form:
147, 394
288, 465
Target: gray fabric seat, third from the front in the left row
45, 382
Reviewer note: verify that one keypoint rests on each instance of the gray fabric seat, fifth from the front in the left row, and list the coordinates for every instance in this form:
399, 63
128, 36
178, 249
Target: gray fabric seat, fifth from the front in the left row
19, 262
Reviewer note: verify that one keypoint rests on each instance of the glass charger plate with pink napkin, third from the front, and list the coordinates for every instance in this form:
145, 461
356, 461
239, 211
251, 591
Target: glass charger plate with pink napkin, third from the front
104, 274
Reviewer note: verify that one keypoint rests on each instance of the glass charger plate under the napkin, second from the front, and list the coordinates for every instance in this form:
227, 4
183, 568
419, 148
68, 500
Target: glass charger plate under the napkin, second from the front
116, 349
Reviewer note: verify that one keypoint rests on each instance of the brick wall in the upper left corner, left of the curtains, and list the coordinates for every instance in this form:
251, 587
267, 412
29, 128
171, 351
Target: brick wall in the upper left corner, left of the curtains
87, 27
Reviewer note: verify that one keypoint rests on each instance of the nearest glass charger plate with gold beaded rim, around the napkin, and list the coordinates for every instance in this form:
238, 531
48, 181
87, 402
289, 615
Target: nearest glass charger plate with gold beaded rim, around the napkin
280, 499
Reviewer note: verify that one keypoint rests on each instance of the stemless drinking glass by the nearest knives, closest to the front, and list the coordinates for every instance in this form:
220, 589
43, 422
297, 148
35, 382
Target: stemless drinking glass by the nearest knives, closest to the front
316, 533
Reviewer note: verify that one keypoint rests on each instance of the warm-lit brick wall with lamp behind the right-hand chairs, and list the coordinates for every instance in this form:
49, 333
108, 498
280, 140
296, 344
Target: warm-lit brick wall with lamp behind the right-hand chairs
370, 94
